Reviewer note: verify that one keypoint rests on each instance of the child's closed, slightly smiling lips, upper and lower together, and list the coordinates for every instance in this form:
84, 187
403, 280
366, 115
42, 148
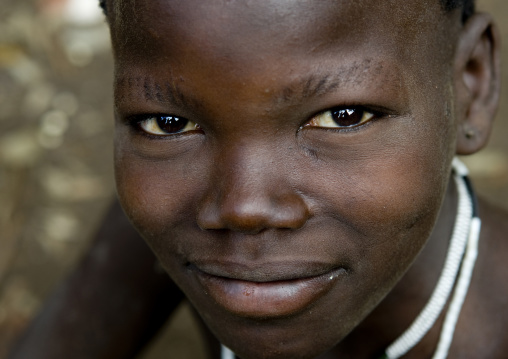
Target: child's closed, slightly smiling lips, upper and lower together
260, 293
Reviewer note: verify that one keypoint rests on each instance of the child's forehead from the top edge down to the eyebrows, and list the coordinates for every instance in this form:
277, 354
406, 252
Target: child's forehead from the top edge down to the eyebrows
266, 42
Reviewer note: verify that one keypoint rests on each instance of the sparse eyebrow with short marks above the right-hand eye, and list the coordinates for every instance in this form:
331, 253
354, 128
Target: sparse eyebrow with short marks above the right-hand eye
318, 85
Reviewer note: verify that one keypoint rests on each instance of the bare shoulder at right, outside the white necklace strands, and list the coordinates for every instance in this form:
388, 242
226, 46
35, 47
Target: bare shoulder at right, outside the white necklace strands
482, 330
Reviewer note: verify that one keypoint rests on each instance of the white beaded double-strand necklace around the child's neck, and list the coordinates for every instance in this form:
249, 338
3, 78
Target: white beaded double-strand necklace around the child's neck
463, 249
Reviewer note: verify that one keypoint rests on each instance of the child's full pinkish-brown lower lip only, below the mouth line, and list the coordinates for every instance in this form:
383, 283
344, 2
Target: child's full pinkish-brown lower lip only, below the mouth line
267, 299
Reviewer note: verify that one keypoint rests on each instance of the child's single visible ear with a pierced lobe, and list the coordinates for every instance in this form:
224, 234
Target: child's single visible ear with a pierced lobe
477, 82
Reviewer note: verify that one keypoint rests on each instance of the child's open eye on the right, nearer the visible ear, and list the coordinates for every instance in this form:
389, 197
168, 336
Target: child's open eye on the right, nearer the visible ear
341, 118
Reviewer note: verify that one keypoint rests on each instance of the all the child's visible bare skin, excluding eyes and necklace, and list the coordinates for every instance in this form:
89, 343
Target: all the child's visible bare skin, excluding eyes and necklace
261, 193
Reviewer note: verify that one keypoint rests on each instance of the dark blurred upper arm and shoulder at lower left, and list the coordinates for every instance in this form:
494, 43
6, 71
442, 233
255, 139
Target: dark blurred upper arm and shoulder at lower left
117, 297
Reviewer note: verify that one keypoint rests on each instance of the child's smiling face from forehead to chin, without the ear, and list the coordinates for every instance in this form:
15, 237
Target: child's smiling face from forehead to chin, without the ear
284, 229
